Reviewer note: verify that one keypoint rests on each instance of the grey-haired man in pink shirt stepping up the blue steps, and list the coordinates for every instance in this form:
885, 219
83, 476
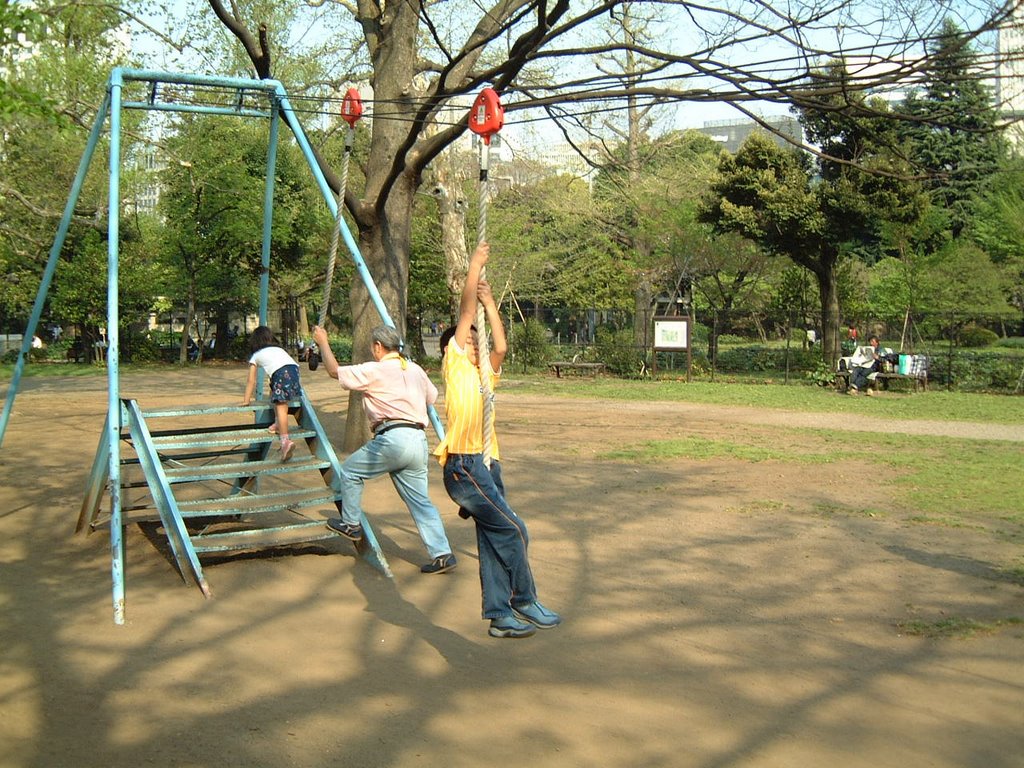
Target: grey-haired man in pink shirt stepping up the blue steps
396, 396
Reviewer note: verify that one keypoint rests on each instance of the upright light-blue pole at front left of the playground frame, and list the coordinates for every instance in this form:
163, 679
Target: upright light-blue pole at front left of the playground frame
113, 372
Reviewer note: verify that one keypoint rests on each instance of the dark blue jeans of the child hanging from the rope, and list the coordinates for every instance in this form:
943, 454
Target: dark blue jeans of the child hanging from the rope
501, 537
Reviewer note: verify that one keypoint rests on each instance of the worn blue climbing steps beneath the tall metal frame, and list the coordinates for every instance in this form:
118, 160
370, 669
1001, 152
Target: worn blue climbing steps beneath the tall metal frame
215, 480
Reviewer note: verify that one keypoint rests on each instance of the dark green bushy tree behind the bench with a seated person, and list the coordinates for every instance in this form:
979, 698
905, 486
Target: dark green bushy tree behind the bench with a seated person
818, 211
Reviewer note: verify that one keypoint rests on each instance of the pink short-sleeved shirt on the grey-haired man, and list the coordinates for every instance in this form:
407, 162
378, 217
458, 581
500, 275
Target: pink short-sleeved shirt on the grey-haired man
393, 389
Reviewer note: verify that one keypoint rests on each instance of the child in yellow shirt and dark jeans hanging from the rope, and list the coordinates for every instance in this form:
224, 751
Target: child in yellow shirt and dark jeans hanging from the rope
506, 580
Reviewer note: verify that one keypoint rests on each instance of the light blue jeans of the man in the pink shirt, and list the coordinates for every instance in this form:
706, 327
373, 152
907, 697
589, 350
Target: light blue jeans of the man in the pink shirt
402, 454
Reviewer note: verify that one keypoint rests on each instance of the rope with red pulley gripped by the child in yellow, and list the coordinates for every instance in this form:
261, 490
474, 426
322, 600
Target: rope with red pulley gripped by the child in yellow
486, 119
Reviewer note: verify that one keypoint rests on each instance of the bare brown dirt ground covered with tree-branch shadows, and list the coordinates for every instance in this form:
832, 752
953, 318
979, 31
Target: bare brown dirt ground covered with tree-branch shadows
718, 614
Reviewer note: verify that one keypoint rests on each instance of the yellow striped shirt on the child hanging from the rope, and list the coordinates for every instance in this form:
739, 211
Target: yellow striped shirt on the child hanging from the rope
463, 406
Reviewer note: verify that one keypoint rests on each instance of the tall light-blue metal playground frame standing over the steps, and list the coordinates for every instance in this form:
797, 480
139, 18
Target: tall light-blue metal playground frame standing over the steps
112, 107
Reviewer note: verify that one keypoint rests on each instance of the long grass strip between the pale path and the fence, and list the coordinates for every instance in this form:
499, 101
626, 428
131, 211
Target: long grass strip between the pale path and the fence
934, 405
